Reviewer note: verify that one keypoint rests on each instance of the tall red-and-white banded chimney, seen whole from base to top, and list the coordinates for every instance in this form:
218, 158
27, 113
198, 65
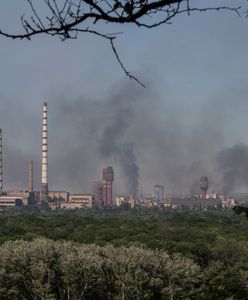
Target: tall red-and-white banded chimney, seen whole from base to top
44, 163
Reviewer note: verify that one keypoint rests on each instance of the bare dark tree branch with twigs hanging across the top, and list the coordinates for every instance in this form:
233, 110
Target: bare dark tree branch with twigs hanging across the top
68, 18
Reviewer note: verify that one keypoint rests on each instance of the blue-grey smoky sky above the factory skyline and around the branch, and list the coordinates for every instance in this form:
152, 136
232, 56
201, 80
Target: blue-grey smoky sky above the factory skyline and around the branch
189, 121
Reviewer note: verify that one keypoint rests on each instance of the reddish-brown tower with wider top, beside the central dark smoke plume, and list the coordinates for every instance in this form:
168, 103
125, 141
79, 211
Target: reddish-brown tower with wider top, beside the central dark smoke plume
108, 178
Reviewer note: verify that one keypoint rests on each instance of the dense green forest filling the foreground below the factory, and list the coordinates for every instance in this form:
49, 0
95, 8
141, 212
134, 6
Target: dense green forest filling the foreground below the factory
123, 255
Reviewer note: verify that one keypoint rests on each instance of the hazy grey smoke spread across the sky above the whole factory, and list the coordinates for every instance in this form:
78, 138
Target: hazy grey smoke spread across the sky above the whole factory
146, 137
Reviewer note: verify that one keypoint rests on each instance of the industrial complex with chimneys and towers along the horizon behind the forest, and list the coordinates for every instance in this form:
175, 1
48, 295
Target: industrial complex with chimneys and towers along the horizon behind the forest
102, 195
